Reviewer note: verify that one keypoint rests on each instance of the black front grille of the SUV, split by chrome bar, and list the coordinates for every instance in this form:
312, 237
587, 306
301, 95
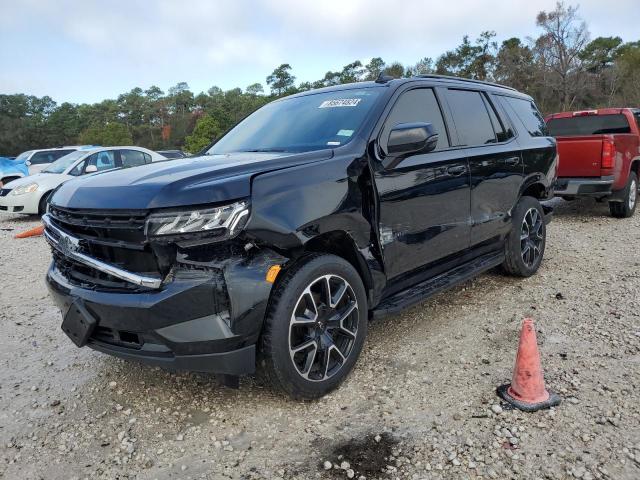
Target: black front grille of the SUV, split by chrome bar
115, 237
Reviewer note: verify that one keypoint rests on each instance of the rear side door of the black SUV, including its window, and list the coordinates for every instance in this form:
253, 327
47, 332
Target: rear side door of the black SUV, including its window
495, 162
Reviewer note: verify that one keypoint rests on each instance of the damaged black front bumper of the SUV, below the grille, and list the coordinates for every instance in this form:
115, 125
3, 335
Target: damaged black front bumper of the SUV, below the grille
204, 318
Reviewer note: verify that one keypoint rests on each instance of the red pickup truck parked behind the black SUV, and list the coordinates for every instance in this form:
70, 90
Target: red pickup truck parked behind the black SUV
599, 156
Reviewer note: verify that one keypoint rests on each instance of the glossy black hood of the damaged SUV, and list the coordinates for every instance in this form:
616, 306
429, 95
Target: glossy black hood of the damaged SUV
190, 181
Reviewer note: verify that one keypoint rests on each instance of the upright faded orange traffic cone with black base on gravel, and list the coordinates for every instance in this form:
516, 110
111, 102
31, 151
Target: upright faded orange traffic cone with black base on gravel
527, 391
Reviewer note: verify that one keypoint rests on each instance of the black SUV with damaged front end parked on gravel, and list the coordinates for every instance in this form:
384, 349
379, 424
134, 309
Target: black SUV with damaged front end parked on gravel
316, 213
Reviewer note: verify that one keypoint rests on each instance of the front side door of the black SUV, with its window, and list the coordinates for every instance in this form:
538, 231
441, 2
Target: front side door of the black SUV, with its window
425, 199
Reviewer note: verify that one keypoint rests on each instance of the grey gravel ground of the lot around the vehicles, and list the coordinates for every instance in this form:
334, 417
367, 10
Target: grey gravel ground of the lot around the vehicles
420, 404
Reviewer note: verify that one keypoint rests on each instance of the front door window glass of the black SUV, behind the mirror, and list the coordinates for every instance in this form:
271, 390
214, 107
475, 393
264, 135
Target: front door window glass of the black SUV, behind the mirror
418, 105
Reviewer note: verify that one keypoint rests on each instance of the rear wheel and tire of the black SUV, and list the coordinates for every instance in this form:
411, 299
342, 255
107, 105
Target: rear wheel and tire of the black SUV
525, 244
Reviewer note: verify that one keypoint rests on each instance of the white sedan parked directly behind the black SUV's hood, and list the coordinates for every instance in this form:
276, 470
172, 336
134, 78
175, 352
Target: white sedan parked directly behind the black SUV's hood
29, 194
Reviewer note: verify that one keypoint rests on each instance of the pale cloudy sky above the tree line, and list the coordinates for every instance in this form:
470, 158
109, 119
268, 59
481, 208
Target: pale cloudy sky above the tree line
87, 50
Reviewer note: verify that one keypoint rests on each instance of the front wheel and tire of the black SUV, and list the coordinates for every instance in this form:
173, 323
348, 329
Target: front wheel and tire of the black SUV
300, 371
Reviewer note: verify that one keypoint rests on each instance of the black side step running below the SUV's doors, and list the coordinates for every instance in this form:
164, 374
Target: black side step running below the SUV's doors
430, 287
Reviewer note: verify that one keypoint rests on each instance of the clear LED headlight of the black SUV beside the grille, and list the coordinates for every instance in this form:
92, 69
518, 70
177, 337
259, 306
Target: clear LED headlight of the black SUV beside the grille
221, 222
